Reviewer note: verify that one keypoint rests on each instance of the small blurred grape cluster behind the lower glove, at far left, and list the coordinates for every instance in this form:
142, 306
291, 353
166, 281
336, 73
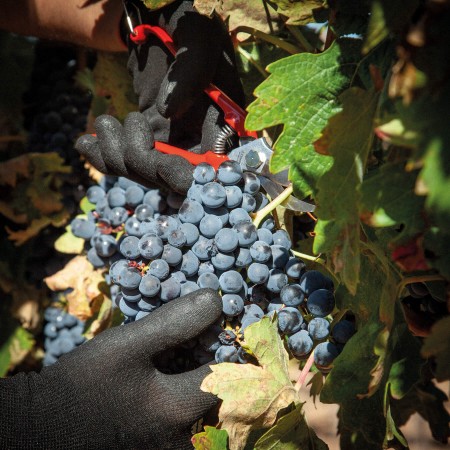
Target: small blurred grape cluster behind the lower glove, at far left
63, 332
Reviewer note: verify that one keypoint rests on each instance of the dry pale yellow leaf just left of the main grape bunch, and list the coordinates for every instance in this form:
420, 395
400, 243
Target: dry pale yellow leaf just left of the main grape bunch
78, 274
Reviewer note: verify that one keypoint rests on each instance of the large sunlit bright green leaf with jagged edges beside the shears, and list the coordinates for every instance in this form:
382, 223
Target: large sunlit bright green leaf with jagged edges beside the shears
301, 94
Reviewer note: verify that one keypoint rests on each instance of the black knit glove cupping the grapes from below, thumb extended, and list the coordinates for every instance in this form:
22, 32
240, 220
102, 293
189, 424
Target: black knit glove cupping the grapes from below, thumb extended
107, 394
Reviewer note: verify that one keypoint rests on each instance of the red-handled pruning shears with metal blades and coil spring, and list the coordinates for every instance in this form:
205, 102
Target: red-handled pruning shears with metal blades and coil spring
253, 154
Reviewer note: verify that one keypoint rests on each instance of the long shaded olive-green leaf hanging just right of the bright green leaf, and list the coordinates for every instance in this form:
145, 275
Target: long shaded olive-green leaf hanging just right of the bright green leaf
347, 138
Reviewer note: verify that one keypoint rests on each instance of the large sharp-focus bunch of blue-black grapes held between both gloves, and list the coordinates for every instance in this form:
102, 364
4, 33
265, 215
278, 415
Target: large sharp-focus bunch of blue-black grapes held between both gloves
208, 240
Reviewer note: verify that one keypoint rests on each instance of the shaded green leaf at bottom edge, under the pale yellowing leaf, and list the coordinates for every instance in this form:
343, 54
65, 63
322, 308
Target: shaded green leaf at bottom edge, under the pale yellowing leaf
291, 432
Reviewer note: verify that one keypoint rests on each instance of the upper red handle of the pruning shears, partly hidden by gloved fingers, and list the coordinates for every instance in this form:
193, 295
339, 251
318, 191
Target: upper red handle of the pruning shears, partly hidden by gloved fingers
234, 115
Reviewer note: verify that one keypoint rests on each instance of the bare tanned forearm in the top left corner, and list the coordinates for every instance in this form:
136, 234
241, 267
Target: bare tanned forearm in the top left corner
88, 23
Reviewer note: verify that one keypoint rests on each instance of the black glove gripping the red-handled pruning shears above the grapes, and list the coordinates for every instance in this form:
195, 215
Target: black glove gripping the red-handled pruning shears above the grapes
171, 100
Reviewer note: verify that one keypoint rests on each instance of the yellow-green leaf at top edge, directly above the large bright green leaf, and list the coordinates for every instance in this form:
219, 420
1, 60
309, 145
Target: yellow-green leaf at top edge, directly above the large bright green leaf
299, 12
